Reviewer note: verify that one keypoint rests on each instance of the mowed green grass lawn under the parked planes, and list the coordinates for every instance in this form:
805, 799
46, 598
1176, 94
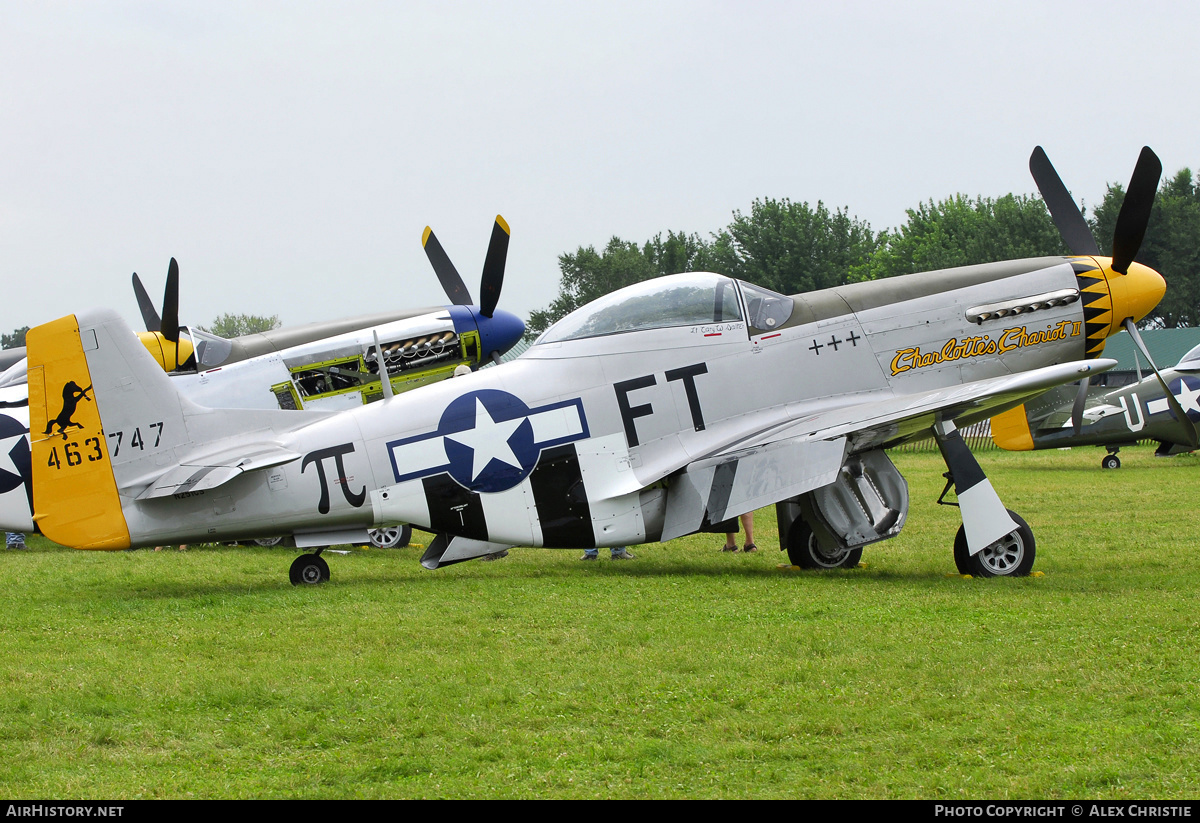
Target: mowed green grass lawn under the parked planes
686, 674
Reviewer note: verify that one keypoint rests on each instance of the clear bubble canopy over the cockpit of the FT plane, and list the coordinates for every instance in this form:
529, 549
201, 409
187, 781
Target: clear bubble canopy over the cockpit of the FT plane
676, 301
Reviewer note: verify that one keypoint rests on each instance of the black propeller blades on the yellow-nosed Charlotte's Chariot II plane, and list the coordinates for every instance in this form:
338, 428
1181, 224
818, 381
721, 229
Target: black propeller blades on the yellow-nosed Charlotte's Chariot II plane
1127, 237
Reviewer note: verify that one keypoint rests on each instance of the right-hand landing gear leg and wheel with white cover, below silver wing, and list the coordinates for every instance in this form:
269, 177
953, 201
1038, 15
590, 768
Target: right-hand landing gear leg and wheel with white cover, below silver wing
993, 542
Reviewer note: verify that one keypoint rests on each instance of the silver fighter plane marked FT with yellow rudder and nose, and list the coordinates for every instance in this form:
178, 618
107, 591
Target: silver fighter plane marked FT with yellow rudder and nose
663, 410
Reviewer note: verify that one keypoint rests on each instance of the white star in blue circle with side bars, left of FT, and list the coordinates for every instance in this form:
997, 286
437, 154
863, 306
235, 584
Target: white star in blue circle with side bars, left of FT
488, 441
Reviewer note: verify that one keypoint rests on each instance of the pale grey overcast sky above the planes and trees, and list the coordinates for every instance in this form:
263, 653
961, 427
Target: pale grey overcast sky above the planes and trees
291, 154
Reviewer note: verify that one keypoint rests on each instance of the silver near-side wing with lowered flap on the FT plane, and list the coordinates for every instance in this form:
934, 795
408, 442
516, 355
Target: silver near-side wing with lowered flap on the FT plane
807, 452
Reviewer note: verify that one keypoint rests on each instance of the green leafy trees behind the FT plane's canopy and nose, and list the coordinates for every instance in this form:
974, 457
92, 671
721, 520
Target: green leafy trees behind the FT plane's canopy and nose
794, 248
